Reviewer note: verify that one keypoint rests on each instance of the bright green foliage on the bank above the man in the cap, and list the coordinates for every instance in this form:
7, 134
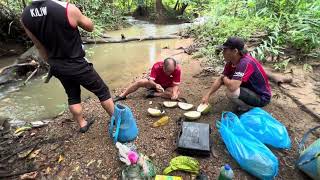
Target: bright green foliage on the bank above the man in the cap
286, 23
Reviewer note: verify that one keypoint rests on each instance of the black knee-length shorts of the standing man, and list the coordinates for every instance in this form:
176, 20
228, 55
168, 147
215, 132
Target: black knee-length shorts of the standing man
89, 79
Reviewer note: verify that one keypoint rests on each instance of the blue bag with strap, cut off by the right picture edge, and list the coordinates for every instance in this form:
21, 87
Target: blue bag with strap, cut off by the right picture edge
309, 159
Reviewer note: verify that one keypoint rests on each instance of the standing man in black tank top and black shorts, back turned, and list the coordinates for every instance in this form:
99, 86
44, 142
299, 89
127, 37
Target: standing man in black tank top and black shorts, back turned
53, 27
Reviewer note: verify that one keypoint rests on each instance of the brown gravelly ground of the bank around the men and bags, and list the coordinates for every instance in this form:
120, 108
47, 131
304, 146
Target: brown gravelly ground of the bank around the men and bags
93, 155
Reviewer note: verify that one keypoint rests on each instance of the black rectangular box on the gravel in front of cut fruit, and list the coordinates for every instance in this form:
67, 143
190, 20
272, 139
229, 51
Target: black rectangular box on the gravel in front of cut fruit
194, 139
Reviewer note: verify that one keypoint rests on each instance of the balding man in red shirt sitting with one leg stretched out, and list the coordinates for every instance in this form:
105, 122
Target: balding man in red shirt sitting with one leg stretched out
163, 82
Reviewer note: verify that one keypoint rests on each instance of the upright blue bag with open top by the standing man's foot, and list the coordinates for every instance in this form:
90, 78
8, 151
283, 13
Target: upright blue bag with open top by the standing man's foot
123, 127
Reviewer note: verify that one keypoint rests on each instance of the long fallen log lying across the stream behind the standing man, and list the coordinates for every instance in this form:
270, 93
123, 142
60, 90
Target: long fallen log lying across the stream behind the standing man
105, 40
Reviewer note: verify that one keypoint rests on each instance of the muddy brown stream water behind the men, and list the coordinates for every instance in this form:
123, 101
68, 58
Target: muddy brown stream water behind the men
117, 64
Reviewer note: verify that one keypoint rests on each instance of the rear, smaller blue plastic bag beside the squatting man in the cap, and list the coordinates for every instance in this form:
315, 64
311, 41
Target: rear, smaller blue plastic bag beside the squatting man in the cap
265, 128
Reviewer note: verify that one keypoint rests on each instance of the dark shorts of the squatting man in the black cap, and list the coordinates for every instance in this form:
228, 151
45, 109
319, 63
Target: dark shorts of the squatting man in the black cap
251, 98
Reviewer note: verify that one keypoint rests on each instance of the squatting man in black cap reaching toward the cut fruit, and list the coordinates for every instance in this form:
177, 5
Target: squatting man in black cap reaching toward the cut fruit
244, 77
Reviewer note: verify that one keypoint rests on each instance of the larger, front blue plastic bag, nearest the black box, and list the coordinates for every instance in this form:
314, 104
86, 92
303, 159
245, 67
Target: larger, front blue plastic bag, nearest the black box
251, 154
